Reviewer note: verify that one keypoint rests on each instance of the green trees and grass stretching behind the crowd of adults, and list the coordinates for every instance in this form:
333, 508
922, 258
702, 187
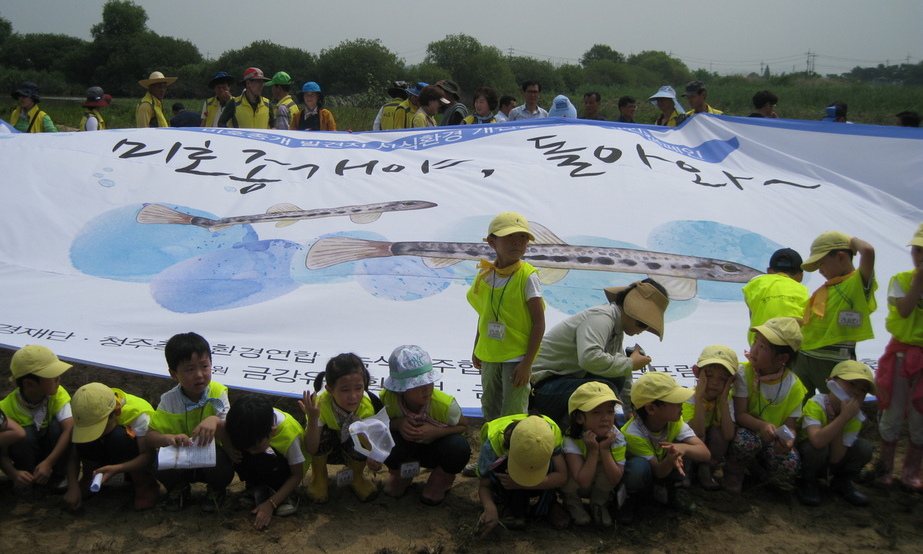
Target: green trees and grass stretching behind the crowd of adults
355, 73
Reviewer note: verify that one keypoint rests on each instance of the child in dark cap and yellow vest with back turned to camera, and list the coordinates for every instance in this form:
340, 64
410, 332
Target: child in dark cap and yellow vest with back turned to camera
778, 292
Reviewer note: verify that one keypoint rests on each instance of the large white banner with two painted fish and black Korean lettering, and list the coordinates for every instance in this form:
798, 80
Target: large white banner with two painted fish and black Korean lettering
286, 248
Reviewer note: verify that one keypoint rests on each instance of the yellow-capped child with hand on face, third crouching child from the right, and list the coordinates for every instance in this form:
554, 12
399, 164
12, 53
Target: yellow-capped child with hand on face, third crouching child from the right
710, 411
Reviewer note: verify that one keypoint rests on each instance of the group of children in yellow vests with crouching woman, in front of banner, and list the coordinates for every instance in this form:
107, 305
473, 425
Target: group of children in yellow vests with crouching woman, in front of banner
567, 434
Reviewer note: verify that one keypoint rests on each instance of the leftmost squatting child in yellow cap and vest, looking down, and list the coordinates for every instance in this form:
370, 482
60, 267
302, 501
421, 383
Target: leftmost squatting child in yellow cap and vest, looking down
41, 406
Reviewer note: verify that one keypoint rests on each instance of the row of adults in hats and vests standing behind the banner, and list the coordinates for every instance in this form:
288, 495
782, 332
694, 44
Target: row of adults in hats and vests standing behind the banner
411, 105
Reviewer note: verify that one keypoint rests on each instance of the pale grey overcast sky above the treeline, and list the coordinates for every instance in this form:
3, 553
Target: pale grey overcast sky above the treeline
727, 36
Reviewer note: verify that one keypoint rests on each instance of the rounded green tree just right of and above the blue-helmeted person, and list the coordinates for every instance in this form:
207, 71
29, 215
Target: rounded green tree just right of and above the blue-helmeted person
357, 65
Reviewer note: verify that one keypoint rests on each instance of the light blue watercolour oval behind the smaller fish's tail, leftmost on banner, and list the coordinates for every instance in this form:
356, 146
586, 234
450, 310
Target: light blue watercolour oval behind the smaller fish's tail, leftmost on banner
115, 246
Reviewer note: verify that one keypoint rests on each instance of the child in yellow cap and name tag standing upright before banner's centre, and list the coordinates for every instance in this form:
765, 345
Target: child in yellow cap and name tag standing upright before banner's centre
511, 319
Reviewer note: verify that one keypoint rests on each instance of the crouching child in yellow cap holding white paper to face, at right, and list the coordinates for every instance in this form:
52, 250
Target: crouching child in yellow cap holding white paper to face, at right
829, 437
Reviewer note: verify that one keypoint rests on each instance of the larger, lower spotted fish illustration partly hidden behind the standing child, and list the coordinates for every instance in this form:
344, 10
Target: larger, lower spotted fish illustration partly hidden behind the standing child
549, 254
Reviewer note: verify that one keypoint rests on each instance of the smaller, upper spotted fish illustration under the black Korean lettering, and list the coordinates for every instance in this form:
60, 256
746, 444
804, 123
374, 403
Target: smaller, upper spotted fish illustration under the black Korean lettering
281, 214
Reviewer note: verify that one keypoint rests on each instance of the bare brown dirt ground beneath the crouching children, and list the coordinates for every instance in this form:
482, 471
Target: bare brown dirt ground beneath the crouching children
759, 520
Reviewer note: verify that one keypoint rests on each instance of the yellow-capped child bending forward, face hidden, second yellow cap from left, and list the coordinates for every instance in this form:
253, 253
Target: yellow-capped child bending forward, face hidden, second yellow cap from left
110, 430
